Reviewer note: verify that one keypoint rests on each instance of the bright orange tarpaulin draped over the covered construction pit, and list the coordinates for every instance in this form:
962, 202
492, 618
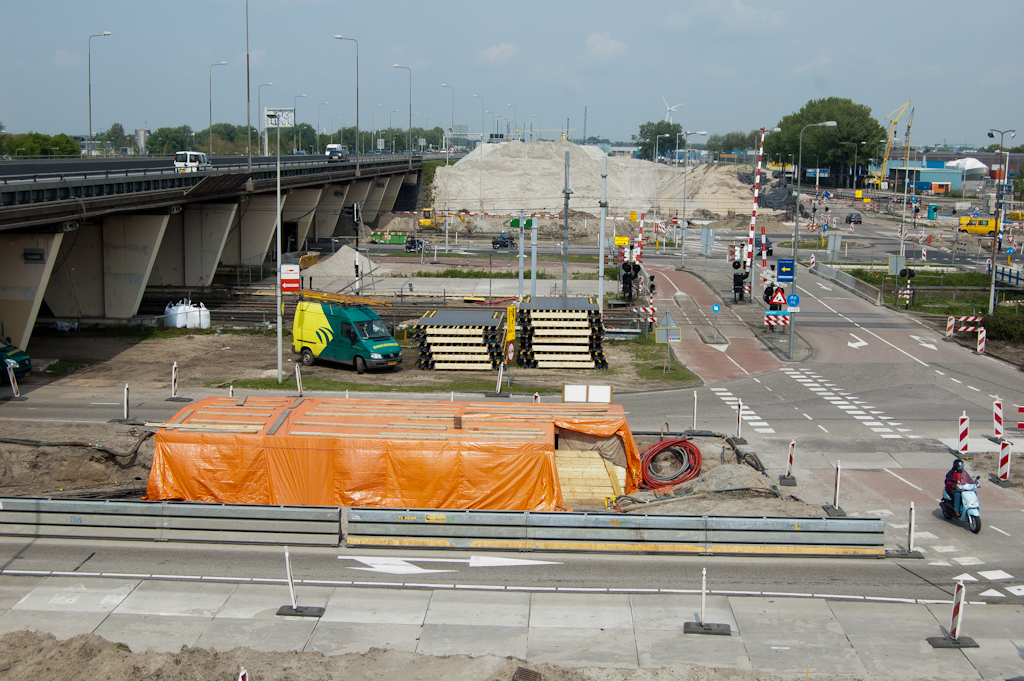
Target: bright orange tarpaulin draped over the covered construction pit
333, 452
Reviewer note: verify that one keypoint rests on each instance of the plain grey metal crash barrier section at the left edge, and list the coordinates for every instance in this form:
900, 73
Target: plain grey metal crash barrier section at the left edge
170, 522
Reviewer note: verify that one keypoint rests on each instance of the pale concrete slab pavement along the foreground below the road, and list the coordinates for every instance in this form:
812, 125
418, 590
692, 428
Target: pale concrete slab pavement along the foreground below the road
624, 631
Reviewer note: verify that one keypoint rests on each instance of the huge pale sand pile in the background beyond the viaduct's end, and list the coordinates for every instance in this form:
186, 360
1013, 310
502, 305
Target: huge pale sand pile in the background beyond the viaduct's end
510, 177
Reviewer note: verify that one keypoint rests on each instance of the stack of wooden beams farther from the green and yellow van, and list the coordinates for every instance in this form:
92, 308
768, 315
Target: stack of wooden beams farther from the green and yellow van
562, 333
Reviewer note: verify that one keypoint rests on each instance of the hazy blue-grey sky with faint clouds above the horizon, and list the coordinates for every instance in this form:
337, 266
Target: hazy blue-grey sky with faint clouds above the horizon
731, 65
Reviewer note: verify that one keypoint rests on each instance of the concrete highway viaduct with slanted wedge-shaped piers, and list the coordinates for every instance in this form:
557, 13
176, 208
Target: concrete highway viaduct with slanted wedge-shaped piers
89, 237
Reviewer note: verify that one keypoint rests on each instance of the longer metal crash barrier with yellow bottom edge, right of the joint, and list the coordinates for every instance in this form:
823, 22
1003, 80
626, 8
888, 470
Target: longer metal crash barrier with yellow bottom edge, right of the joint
616, 533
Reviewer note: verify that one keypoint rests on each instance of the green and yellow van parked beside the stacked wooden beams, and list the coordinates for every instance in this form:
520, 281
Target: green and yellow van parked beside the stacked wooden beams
345, 333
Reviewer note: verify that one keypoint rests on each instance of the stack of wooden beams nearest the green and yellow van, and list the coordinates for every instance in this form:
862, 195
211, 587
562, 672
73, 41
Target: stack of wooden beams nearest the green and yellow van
460, 339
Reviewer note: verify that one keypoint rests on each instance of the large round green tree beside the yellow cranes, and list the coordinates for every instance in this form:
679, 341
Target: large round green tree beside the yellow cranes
828, 147
